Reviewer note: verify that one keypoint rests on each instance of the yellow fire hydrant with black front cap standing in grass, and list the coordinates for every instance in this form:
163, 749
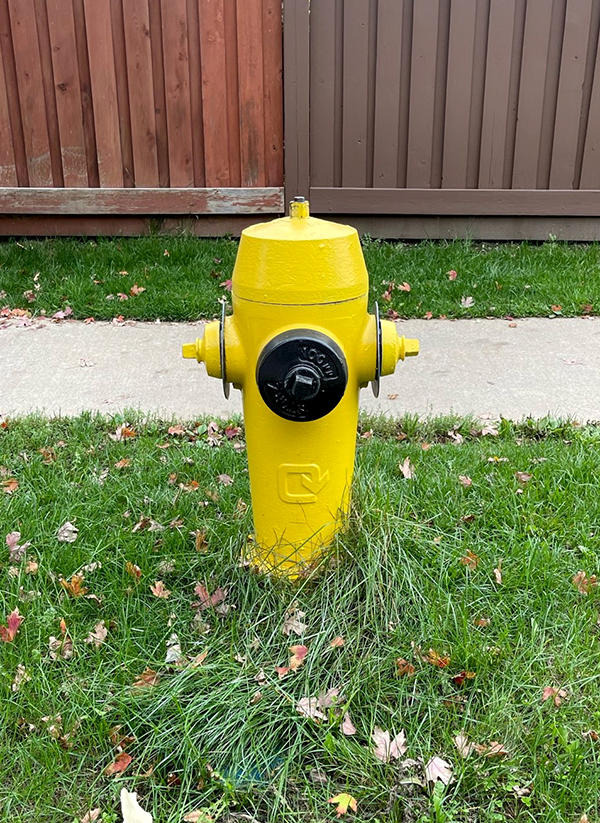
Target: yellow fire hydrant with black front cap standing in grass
299, 344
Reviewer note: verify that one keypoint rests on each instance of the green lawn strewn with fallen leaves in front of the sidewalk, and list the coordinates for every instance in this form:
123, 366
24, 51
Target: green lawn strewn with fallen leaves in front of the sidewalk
399, 582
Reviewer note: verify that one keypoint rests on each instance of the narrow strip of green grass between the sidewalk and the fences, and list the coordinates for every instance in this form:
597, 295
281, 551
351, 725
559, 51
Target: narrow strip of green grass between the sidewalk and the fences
185, 284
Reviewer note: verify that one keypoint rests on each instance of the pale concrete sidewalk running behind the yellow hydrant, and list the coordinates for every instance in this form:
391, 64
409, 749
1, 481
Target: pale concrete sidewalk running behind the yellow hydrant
533, 367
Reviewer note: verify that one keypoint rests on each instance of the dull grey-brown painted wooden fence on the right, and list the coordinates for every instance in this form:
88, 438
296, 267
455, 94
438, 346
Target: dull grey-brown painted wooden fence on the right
444, 107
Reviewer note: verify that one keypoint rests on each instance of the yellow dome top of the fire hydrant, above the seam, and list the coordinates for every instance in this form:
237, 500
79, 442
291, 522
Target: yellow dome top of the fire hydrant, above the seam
295, 260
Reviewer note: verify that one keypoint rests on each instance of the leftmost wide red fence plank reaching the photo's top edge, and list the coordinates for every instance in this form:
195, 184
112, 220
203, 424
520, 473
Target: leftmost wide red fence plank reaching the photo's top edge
31, 91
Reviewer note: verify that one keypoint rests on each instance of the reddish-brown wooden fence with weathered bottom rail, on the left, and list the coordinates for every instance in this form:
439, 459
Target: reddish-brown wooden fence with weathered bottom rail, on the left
140, 106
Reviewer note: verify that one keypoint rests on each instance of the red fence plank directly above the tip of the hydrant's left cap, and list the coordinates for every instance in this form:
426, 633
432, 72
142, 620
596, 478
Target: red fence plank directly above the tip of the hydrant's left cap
177, 92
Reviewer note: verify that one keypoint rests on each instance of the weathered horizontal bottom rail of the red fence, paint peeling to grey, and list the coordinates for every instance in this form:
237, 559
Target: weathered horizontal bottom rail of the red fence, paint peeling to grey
141, 201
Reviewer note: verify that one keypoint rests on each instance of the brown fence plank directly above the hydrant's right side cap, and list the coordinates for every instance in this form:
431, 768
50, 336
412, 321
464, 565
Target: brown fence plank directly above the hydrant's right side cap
387, 93
